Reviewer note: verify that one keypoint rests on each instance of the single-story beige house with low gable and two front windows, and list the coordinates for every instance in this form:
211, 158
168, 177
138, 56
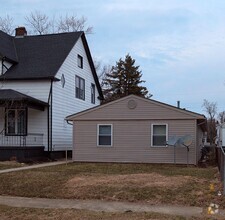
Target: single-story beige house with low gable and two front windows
134, 129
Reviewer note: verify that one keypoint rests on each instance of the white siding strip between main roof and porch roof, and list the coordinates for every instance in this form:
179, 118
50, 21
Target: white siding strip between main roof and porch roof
38, 89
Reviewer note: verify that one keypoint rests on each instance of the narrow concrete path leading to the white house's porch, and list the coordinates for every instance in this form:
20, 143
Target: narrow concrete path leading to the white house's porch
35, 166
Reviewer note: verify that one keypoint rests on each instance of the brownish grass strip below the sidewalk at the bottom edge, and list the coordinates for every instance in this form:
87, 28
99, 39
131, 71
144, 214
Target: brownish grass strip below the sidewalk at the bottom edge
8, 213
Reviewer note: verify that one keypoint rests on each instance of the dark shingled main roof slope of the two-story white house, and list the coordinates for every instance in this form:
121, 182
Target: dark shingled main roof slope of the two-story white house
40, 56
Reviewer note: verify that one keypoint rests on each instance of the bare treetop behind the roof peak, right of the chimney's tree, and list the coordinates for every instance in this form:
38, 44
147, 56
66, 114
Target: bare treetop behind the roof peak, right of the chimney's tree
72, 23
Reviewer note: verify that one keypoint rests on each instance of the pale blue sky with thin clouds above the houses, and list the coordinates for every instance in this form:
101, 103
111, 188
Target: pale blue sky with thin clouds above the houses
178, 44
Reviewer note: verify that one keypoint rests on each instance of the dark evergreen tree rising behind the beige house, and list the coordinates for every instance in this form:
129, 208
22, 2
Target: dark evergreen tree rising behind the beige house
123, 79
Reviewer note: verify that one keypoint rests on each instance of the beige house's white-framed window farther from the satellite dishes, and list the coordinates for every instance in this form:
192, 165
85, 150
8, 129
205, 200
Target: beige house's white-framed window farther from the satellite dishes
104, 136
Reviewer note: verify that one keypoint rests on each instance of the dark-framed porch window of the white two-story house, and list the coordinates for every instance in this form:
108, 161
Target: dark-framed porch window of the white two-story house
16, 122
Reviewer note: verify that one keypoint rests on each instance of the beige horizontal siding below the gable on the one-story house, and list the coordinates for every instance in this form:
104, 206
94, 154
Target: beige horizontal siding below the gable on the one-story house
132, 142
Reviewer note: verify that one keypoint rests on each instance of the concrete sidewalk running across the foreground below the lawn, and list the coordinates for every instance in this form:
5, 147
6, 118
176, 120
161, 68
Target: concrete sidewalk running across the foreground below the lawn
99, 205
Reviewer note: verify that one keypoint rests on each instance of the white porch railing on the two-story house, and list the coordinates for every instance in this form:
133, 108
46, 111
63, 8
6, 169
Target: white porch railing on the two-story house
32, 139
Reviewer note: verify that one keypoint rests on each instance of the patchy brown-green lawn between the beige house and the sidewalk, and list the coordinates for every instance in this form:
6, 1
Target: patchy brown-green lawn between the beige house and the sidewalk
154, 184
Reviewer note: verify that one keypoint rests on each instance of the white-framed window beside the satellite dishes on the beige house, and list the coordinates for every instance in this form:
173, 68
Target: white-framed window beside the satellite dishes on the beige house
159, 135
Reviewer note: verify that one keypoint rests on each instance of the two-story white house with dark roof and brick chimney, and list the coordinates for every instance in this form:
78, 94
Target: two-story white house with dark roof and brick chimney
43, 79
